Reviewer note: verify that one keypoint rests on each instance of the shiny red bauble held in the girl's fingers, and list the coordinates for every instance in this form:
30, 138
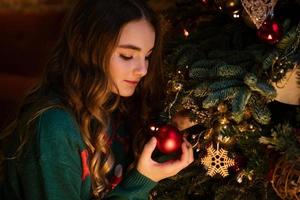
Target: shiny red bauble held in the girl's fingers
169, 139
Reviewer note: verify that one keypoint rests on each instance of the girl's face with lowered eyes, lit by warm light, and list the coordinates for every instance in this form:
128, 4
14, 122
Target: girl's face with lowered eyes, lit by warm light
130, 59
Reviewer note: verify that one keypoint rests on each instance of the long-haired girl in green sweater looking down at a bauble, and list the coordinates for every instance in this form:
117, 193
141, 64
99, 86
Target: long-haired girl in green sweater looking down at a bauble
75, 134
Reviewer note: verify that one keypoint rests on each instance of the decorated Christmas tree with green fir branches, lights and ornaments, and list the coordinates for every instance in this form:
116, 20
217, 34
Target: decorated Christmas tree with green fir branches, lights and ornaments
227, 61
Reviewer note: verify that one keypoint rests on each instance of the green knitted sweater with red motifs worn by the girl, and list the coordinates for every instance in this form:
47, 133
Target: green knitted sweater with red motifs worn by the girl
54, 165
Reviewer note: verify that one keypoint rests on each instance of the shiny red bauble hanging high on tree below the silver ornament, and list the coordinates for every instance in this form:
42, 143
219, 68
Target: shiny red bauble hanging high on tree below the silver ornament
270, 31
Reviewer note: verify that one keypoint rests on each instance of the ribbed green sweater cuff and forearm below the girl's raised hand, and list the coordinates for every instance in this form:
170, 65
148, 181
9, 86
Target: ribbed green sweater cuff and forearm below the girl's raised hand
134, 186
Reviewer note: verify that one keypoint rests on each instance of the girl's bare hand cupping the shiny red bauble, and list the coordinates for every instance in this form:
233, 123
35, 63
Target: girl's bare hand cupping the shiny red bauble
158, 171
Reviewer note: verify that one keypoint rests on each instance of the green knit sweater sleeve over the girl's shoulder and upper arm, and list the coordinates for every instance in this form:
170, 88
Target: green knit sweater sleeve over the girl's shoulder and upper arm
55, 172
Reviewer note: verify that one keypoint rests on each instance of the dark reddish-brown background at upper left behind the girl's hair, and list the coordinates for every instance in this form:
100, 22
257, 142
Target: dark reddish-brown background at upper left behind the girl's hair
27, 34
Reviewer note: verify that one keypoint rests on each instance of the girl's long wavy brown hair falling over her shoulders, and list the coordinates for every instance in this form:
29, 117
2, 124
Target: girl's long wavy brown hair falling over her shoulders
77, 73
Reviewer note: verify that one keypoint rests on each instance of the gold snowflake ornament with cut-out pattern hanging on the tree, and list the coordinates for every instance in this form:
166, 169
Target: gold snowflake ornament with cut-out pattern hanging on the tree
217, 161
